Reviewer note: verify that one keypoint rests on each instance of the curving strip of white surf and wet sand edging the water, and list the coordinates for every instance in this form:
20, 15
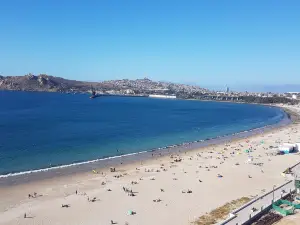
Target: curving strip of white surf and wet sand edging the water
289, 117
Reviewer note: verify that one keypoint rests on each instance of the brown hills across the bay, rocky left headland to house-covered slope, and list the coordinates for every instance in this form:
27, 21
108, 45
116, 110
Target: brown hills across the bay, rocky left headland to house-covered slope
48, 83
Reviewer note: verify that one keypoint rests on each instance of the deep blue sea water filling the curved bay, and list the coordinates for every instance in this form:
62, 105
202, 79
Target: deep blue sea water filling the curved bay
39, 130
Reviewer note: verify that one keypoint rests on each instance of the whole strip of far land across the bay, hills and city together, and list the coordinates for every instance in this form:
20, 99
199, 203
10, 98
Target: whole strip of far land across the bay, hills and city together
139, 87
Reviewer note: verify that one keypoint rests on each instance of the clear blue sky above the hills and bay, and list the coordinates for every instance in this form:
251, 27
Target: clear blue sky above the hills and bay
211, 43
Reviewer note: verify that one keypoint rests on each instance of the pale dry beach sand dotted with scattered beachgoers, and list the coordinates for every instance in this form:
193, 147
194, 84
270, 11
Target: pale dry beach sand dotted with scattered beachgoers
160, 186
